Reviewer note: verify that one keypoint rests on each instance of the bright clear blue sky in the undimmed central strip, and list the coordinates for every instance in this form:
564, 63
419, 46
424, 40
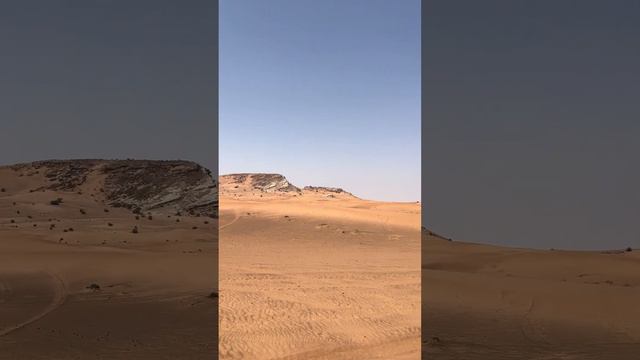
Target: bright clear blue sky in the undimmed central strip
324, 92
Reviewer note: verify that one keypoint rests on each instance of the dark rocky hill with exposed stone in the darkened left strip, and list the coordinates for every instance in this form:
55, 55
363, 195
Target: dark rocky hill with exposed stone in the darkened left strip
138, 185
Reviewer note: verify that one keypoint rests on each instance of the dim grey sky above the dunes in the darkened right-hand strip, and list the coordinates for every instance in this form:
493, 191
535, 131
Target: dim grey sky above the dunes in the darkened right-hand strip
531, 132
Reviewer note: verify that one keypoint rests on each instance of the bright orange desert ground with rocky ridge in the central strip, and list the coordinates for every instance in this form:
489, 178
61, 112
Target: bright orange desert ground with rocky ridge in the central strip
316, 273
